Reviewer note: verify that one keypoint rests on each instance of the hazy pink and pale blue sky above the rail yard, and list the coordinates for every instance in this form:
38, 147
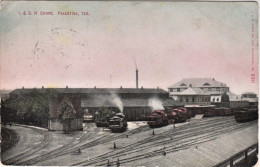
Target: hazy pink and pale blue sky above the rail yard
167, 40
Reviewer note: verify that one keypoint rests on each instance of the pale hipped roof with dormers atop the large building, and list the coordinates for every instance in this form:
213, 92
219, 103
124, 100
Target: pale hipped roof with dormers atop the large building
197, 82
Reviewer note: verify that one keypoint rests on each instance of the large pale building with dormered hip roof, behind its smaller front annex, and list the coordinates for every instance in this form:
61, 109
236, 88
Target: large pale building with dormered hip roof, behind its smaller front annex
209, 85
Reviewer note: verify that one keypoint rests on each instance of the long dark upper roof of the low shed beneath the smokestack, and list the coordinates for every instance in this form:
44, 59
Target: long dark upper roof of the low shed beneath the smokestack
91, 90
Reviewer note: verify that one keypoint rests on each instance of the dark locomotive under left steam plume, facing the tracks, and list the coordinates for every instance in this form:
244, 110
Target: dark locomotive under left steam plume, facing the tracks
118, 123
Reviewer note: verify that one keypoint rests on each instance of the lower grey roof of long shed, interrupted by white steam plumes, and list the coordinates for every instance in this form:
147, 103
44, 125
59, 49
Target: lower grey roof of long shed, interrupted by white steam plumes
85, 102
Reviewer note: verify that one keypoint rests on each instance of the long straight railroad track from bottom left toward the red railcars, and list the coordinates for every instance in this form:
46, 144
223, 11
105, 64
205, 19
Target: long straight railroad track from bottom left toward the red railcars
72, 148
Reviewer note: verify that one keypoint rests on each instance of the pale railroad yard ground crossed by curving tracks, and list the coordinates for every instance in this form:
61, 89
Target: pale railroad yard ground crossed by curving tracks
197, 142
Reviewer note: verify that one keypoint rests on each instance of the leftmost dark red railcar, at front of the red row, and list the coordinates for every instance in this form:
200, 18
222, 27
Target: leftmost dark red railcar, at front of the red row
157, 118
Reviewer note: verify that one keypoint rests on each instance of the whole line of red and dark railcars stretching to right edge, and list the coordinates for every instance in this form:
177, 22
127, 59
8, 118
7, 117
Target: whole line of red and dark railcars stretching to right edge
160, 118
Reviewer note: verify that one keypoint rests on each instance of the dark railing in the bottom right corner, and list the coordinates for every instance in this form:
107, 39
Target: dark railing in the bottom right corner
238, 155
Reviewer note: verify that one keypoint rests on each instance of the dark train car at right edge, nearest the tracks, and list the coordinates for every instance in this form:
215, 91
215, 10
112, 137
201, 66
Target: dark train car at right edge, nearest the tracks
245, 115
